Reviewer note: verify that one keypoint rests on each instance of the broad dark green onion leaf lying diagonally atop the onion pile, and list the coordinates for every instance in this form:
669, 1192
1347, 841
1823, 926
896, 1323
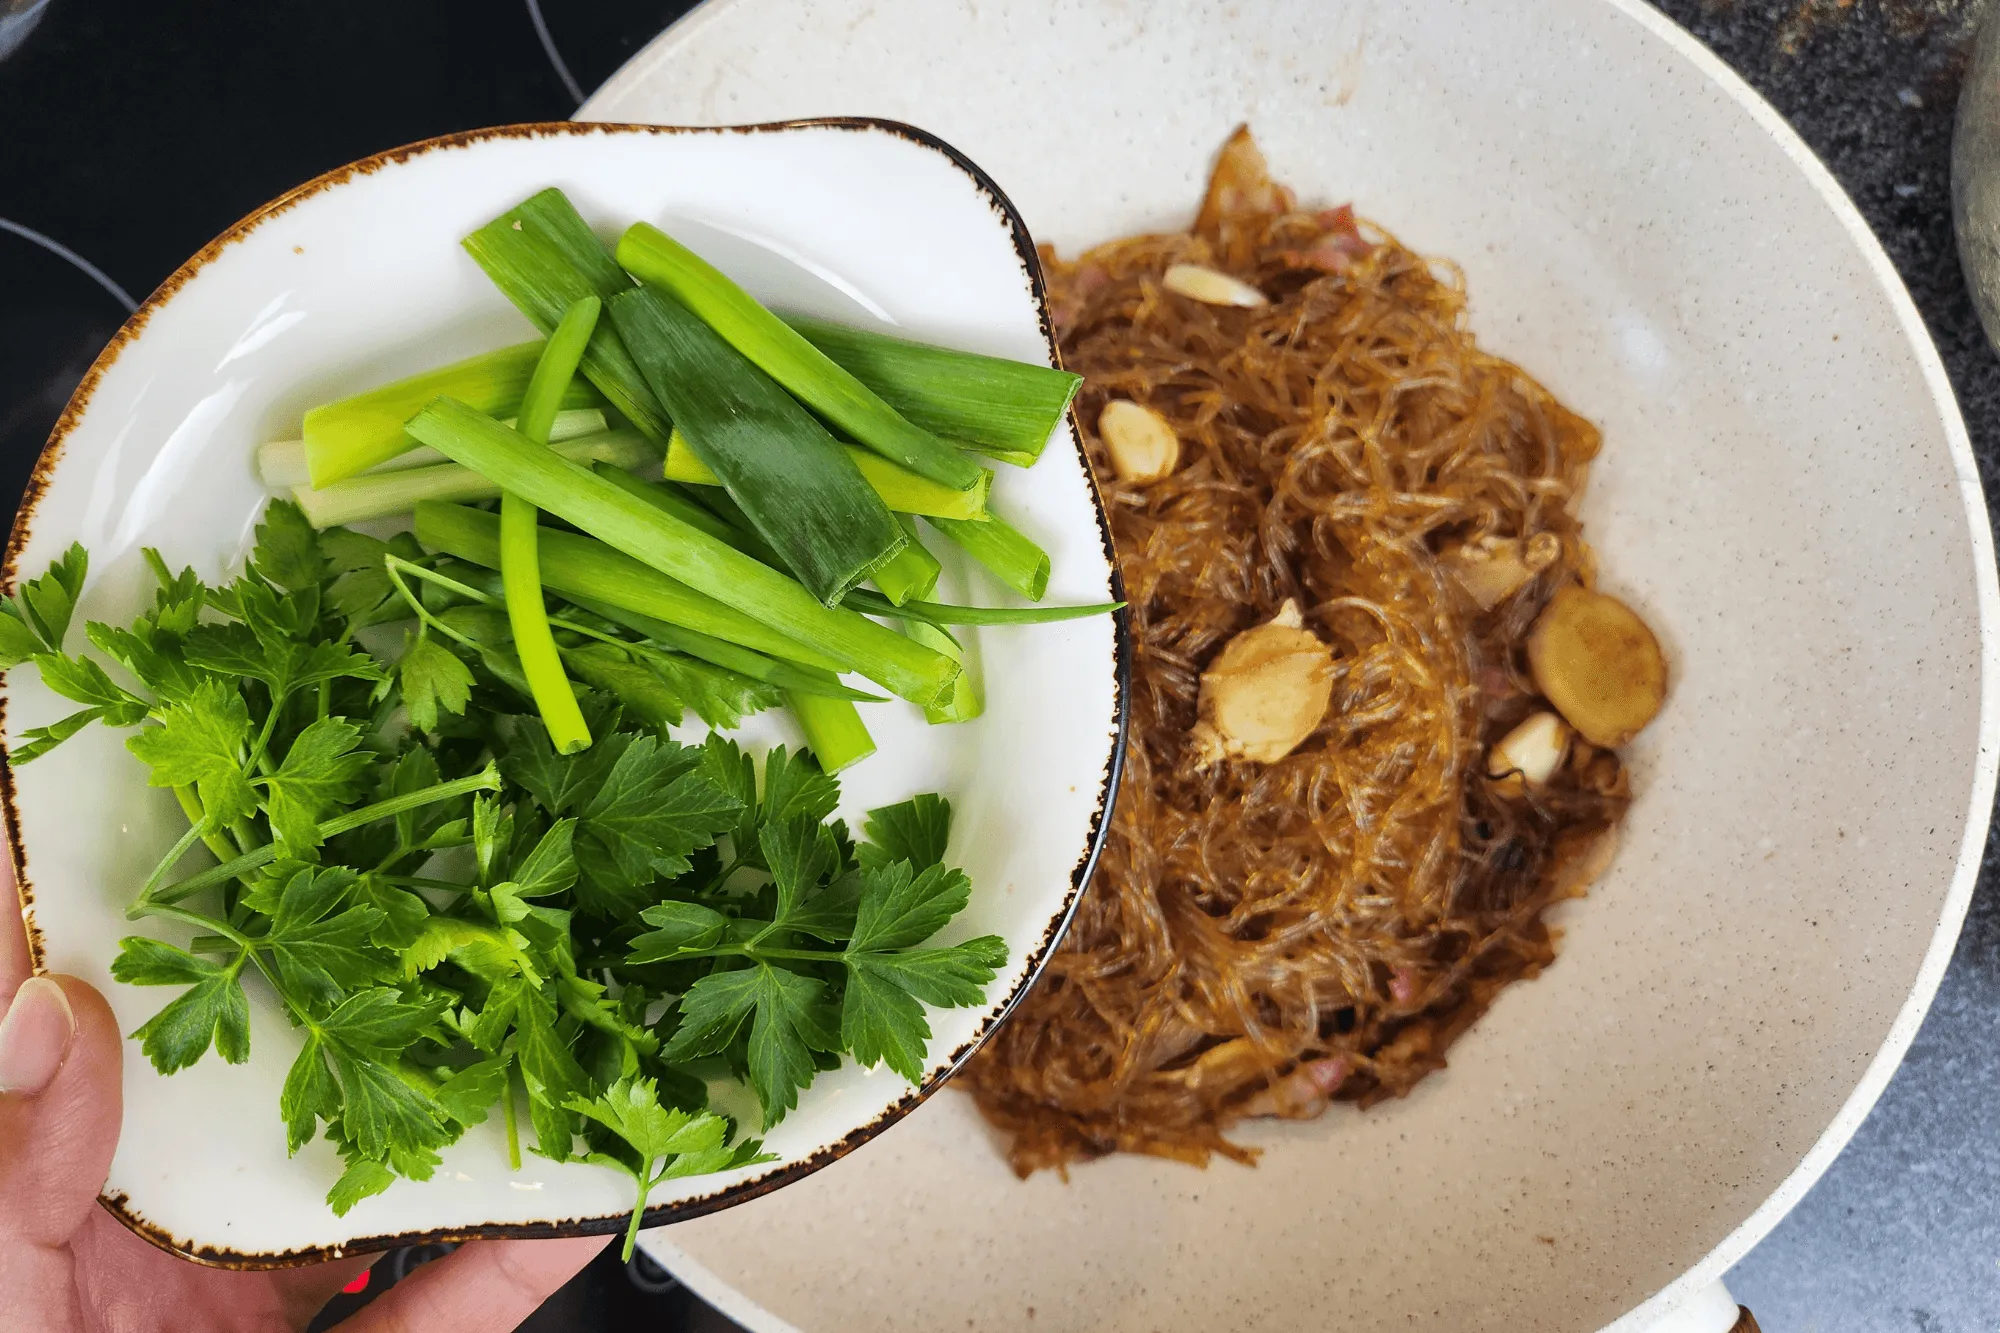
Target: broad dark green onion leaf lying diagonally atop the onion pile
803, 493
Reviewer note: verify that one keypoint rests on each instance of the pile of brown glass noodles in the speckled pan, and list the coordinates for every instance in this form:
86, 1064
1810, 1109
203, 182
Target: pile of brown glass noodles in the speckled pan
1261, 940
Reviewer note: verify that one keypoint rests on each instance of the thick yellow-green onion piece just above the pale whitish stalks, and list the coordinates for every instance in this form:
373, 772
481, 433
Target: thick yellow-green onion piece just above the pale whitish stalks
359, 433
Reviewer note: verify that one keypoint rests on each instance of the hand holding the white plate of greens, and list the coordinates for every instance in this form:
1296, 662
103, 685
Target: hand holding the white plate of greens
67, 1266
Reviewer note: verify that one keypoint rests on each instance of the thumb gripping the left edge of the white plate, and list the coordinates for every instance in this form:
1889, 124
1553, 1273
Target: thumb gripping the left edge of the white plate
61, 1104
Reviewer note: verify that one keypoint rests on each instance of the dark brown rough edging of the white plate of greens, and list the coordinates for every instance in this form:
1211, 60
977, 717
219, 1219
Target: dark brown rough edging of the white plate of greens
53, 453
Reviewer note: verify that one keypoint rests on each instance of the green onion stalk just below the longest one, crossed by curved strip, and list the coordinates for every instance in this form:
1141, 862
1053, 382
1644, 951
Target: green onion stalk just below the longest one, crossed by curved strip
589, 571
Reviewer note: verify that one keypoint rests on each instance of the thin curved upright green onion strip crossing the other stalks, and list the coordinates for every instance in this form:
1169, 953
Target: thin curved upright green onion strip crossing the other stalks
521, 569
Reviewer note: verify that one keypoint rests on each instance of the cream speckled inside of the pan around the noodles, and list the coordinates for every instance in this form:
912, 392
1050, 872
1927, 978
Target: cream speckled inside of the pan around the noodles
1785, 491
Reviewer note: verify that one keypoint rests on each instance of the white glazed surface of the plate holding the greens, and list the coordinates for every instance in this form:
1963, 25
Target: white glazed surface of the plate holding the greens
359, 279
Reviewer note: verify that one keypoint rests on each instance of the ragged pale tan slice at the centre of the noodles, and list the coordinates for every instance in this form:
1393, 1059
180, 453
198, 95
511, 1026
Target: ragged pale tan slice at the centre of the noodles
1265, 694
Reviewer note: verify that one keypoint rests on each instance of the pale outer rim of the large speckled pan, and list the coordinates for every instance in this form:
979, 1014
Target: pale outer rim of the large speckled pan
653, 61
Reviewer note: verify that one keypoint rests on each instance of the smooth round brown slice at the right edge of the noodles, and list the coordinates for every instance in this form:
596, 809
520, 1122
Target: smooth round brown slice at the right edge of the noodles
1599, 663
